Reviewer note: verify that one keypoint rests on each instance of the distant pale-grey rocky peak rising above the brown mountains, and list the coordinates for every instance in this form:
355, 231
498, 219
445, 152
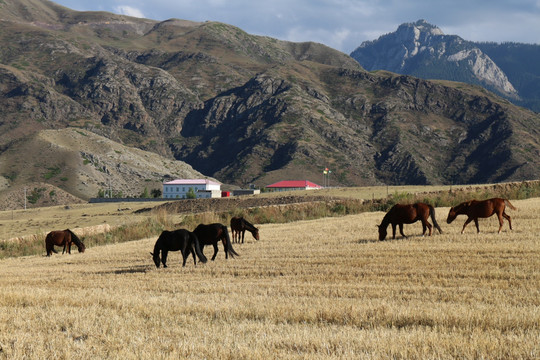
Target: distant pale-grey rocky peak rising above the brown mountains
422, 49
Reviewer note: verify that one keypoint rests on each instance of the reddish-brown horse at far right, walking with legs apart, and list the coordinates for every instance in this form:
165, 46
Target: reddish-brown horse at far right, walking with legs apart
485, 208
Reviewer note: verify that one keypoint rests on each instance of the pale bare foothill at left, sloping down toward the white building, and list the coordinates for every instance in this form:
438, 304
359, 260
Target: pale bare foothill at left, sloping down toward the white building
81, 163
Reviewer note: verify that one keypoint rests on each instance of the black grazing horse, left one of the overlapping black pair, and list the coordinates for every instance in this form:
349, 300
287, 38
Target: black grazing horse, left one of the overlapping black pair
180, 239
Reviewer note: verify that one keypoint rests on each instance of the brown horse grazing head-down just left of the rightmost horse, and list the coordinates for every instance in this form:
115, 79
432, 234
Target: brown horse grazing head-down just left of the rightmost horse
407, 214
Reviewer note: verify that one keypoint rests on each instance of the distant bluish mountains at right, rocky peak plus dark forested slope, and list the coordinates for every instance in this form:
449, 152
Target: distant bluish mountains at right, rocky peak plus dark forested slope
421, 49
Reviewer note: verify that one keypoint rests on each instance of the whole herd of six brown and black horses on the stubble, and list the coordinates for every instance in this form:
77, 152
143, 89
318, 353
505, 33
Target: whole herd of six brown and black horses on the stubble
193, 242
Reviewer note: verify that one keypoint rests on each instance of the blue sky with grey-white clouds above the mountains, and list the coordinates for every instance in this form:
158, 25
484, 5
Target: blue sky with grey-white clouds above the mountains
342, 24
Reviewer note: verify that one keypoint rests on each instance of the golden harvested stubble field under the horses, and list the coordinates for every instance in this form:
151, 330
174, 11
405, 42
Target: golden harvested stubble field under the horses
317, 289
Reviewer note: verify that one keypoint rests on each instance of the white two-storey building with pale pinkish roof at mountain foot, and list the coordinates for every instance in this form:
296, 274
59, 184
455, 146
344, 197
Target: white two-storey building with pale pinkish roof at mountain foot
179, 188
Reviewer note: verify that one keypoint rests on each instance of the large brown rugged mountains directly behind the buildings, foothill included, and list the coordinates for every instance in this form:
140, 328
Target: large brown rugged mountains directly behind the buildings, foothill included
240, 108
